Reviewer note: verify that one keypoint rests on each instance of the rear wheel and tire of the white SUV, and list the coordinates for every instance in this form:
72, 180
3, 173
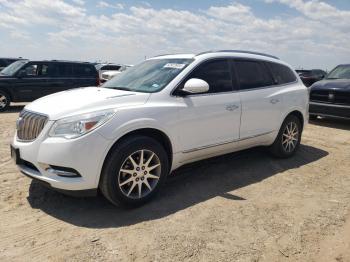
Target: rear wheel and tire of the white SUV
282, 149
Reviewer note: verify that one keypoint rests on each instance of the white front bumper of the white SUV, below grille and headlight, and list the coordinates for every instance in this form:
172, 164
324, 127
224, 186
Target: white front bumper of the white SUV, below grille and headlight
85, 155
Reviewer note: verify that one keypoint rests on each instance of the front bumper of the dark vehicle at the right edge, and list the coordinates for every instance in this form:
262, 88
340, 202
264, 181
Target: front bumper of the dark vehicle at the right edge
329, 110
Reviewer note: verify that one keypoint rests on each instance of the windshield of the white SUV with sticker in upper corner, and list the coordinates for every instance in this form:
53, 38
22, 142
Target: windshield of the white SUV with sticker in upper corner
150, 76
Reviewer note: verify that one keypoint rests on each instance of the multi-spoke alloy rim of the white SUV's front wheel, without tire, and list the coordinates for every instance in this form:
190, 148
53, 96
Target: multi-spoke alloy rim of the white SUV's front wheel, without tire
139, 174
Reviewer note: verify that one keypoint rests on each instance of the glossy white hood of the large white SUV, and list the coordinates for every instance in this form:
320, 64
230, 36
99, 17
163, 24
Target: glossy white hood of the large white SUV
85, 100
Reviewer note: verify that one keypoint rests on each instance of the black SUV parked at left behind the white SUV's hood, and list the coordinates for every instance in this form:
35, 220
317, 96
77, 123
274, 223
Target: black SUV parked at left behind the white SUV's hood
25, 81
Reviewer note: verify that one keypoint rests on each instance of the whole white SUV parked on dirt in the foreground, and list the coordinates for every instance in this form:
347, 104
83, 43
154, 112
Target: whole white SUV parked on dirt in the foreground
125, 137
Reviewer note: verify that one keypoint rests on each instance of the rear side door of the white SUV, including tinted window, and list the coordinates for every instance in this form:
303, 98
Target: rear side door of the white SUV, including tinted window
260, 97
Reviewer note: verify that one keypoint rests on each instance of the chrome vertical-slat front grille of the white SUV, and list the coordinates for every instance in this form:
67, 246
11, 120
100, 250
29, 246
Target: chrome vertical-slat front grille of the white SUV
29, 125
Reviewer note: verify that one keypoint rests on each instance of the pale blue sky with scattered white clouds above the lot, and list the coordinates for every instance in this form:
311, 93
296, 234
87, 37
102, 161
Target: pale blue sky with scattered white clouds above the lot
304, 33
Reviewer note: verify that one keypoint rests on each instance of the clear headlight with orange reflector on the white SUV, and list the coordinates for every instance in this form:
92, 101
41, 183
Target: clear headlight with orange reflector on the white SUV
76, 126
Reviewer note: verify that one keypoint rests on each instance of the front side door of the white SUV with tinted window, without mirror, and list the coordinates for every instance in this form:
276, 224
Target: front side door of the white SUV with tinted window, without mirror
209, 120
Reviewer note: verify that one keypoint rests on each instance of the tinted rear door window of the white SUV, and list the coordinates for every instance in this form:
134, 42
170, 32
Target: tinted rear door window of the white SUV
252, 74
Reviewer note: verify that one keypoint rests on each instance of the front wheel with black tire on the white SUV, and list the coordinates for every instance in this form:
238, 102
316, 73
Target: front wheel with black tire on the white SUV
123, 188
